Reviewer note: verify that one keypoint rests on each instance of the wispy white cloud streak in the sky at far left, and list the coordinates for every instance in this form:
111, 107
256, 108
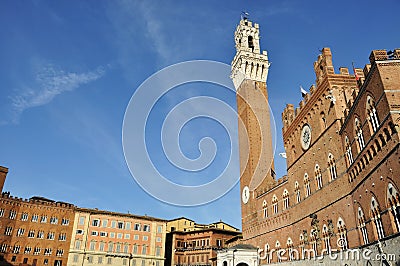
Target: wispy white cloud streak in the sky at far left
49, 82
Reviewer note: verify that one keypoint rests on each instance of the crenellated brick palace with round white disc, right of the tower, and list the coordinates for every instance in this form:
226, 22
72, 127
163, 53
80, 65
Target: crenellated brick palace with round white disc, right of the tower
344, 184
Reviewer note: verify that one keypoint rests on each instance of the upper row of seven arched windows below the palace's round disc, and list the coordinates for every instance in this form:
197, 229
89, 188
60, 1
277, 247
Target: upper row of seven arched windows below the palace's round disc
307, 189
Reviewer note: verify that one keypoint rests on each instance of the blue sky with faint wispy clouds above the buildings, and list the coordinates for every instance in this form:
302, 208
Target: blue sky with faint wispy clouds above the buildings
68, 70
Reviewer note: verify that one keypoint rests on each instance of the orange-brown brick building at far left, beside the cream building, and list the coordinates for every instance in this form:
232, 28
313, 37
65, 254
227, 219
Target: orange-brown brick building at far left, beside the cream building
35, 231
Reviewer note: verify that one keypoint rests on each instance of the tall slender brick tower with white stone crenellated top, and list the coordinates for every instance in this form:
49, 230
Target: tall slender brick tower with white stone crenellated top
249, 73
